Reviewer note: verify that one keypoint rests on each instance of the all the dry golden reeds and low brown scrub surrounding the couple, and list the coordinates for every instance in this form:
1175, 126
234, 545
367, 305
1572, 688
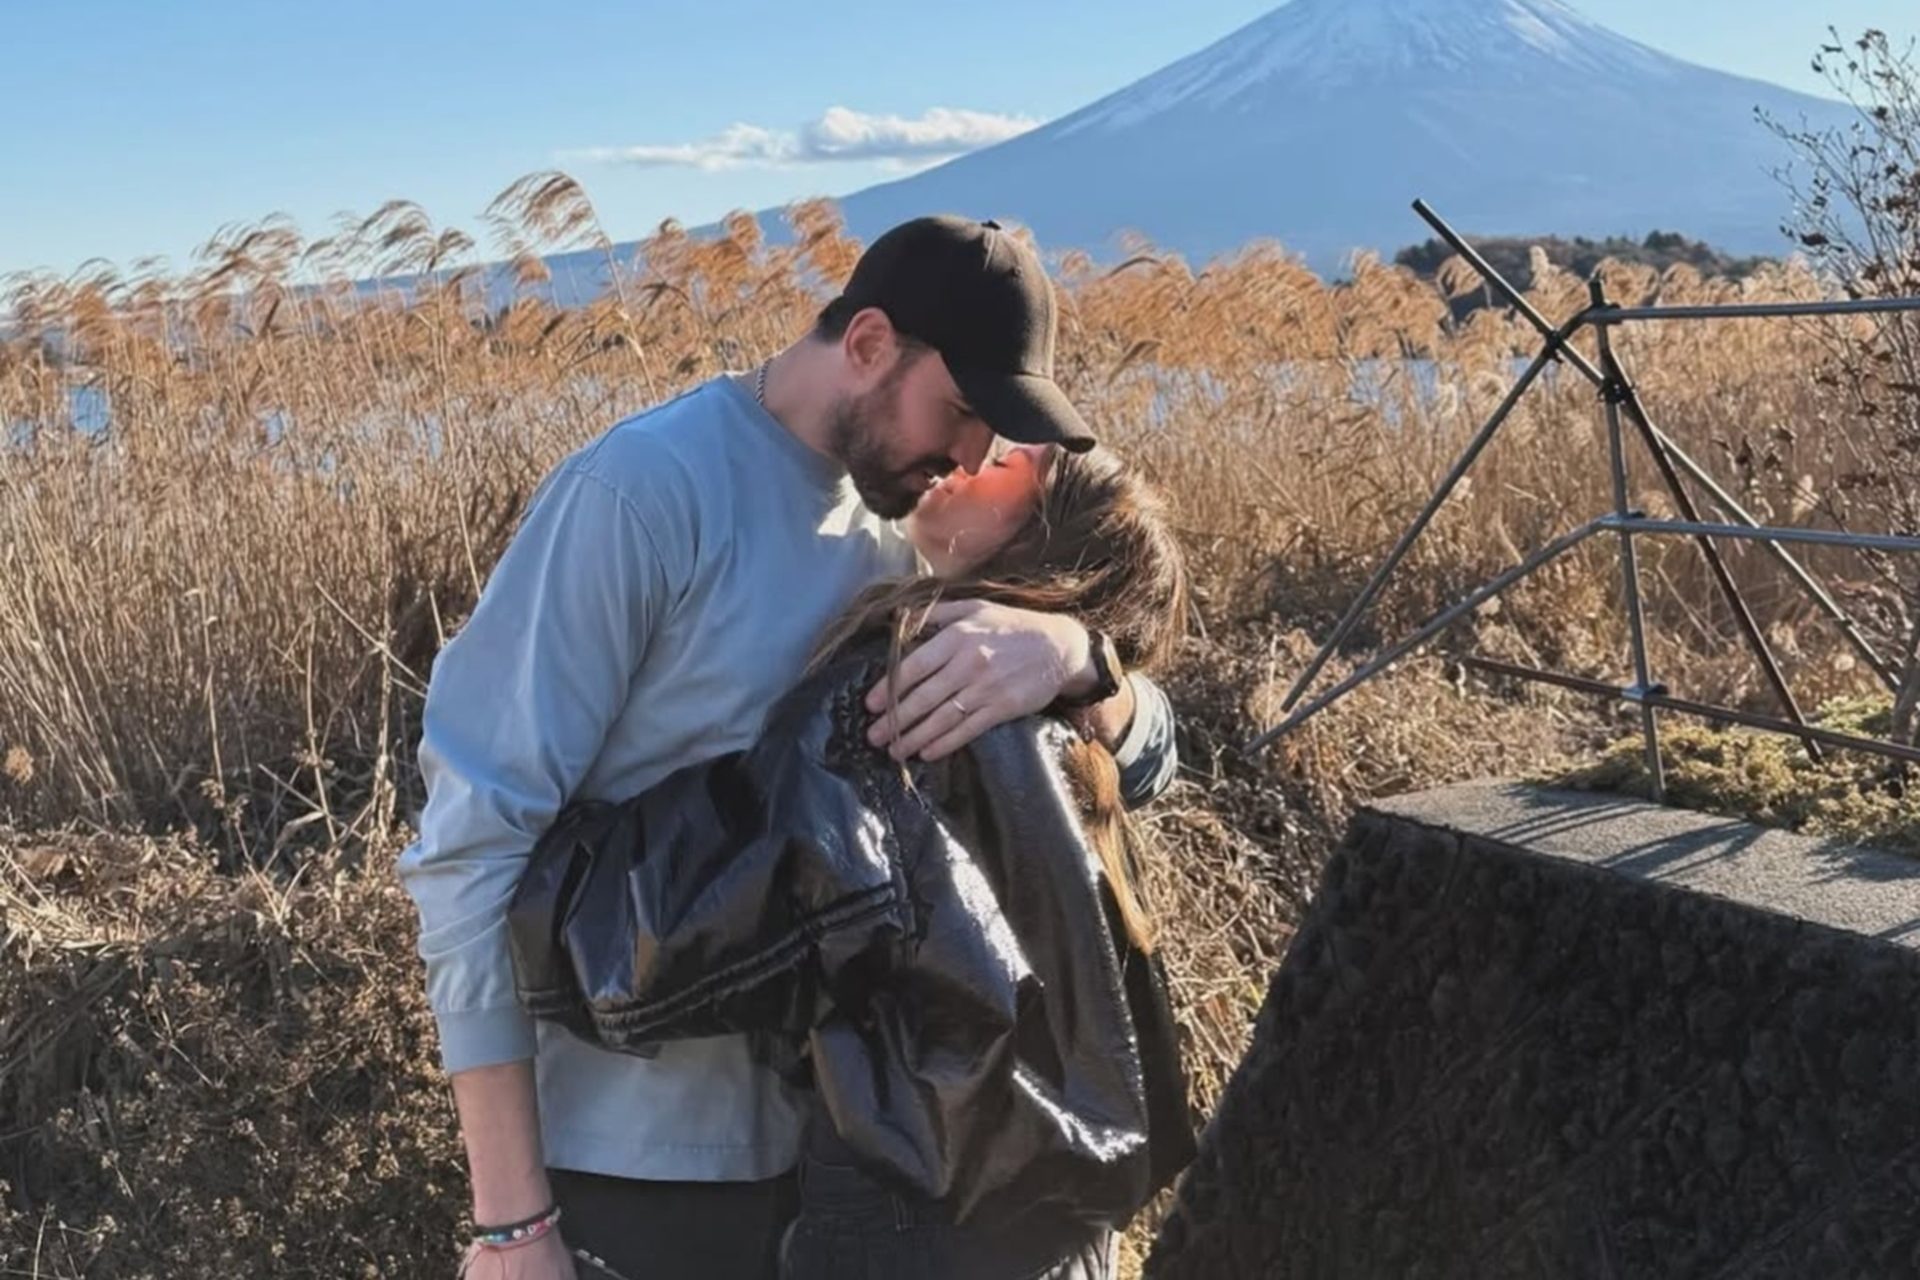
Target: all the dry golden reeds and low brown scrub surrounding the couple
218, 615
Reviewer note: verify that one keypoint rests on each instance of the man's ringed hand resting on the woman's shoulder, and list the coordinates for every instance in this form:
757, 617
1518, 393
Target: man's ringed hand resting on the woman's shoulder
986, 665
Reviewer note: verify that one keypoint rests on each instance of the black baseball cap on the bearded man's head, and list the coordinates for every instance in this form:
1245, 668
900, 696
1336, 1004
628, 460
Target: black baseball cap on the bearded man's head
978, 296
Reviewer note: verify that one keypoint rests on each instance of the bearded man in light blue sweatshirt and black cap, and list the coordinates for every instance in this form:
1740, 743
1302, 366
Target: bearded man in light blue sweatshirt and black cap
661, 594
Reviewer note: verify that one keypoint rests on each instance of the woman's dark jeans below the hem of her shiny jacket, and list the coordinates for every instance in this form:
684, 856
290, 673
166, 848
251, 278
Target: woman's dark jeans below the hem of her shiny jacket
852, 1227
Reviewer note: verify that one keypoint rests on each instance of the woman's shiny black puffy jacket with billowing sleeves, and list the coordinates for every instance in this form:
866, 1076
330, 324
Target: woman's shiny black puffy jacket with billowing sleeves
942, 941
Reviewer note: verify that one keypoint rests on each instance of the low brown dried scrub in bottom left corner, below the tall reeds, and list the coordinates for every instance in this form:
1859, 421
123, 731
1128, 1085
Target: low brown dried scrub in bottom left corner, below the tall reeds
216, 1076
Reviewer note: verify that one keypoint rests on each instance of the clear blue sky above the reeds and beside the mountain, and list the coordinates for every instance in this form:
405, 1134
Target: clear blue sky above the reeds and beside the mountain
141, 128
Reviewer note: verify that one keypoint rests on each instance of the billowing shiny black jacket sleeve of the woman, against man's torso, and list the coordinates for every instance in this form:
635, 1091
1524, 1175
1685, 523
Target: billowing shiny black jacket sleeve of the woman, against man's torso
702, 907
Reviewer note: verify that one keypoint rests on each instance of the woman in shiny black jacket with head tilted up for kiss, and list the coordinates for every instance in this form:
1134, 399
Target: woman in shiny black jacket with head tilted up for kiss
955, 957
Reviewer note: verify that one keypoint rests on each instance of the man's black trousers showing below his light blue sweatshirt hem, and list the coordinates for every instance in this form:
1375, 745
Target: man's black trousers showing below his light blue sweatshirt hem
675, 1231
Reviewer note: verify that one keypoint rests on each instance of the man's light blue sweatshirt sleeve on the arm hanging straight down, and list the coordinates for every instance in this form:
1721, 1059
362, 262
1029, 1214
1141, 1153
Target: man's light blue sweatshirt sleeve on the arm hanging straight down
517, 711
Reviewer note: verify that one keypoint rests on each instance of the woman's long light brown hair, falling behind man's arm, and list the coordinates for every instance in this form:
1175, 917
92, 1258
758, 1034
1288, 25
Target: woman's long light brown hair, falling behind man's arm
1099, 548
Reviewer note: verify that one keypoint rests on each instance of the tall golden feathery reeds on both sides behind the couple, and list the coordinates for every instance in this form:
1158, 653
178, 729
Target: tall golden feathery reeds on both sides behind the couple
220, 611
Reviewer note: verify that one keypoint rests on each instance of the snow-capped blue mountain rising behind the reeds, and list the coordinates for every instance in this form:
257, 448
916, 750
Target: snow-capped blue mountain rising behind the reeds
1320, 124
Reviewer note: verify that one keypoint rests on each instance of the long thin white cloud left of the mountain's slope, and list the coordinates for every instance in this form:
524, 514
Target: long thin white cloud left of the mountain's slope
840, 135
